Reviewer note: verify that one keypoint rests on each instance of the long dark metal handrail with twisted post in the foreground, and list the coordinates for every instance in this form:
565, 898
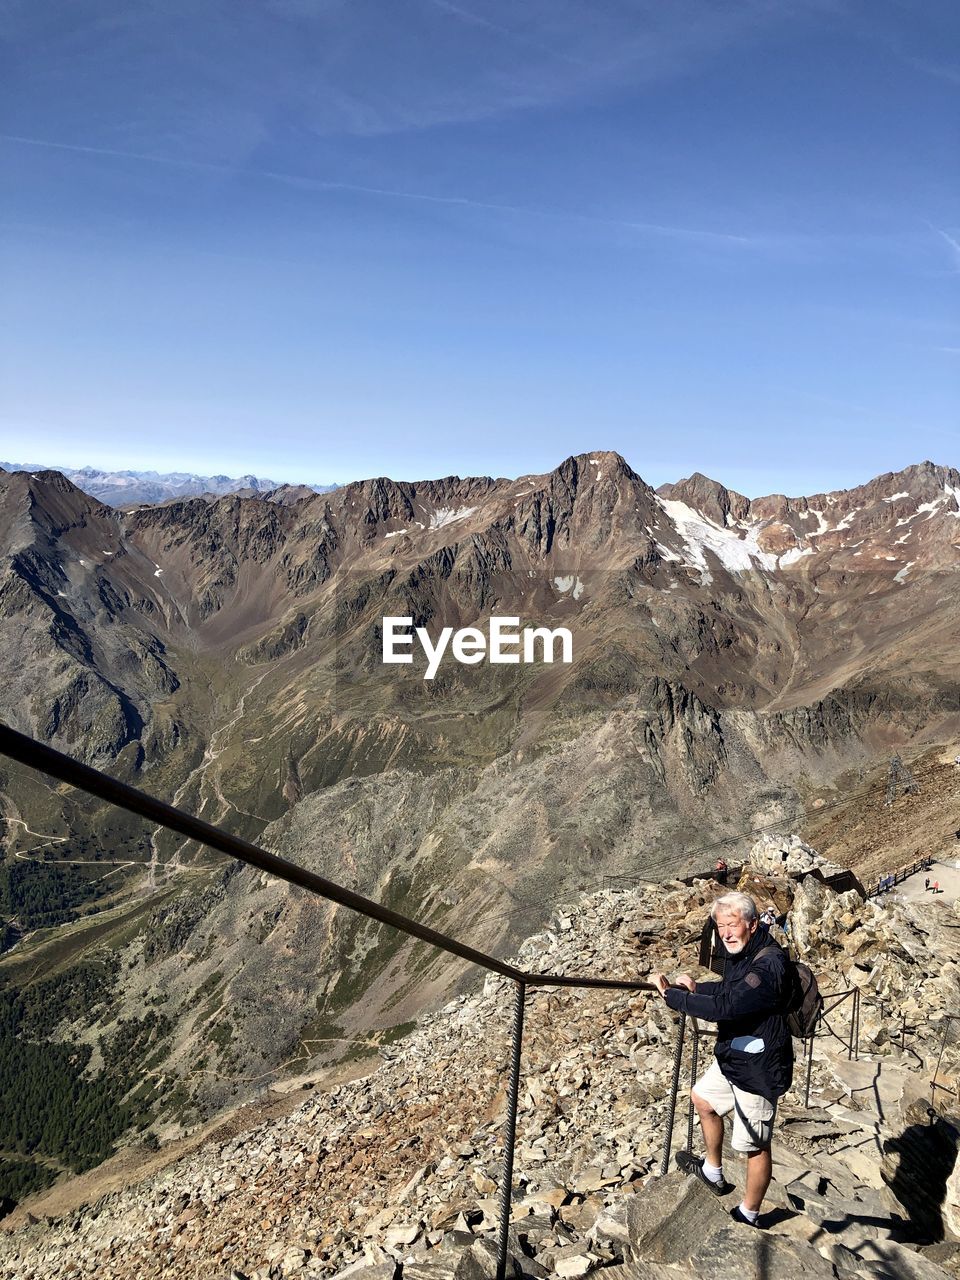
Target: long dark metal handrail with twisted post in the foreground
45, 760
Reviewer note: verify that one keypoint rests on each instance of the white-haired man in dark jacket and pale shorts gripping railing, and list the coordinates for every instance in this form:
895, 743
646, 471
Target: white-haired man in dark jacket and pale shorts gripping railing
755, 1055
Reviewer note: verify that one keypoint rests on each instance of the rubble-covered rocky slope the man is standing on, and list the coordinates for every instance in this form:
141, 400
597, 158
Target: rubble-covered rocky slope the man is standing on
395, 1176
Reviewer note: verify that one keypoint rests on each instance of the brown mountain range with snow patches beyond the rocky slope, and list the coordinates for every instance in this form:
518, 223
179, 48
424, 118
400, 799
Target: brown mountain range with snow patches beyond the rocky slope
734, 661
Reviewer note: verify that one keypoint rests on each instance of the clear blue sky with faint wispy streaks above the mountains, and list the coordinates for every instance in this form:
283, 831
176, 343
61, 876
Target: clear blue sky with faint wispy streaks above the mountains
319, 240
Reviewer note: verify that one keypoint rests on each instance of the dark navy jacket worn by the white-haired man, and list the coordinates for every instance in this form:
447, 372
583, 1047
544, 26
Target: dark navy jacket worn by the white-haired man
748, 1004
